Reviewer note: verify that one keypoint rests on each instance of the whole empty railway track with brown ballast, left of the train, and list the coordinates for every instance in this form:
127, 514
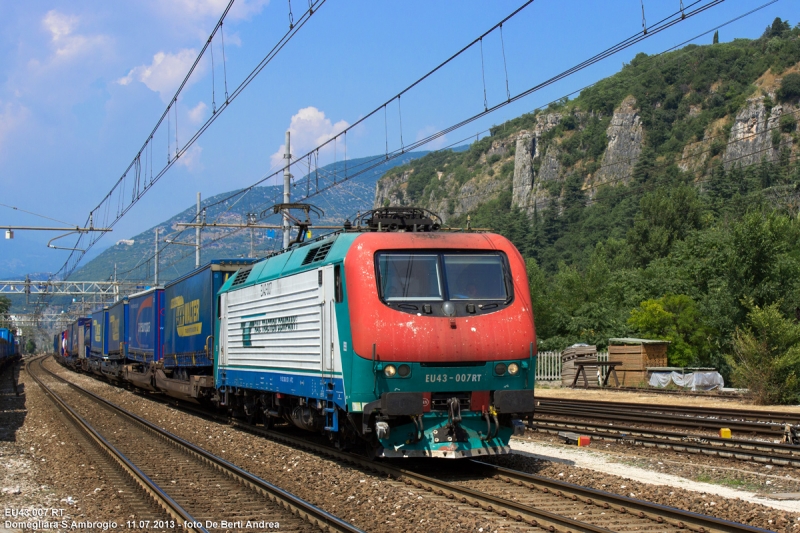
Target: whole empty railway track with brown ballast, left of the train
196, 489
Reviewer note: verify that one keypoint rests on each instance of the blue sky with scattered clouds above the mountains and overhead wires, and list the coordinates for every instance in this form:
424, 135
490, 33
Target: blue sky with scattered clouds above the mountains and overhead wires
82, 83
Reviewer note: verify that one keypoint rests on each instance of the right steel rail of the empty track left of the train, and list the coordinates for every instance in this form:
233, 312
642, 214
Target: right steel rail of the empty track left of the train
295, 504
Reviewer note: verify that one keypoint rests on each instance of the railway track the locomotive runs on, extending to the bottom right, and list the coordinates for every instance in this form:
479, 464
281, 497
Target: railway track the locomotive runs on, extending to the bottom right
528, 499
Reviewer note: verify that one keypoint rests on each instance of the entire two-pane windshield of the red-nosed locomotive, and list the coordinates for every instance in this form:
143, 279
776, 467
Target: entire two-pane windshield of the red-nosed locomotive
438, 276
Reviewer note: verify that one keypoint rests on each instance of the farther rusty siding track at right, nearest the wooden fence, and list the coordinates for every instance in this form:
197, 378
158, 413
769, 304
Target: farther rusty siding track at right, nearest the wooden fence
751, 415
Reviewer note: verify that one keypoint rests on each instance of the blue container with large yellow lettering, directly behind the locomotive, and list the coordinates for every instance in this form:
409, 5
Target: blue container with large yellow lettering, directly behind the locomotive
190, 308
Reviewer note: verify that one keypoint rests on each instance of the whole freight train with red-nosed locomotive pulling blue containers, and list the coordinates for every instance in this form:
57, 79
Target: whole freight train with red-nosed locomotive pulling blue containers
391, 336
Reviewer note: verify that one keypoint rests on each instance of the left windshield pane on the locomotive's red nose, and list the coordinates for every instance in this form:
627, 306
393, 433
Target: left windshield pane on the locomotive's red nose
409, 276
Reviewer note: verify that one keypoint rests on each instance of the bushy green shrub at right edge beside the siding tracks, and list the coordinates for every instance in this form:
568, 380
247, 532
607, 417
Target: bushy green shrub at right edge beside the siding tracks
766, 356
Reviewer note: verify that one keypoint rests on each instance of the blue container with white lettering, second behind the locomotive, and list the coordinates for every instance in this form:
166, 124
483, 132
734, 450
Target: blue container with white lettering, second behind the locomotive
145, 326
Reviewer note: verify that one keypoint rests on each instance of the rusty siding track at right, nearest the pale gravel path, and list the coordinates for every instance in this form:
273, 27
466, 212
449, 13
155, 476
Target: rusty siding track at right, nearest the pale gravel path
741, 449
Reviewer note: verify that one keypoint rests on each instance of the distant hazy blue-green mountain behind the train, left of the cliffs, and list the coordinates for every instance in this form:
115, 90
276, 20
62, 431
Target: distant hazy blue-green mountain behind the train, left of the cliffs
133, 258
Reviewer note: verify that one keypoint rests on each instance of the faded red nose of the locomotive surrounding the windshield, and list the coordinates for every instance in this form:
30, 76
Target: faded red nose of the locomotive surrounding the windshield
433, 333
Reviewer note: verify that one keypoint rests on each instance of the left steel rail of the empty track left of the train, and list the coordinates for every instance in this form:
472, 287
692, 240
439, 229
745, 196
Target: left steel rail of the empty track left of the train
159, 496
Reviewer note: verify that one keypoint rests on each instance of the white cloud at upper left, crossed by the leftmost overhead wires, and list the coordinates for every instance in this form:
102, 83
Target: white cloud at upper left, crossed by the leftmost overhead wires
165, 73
